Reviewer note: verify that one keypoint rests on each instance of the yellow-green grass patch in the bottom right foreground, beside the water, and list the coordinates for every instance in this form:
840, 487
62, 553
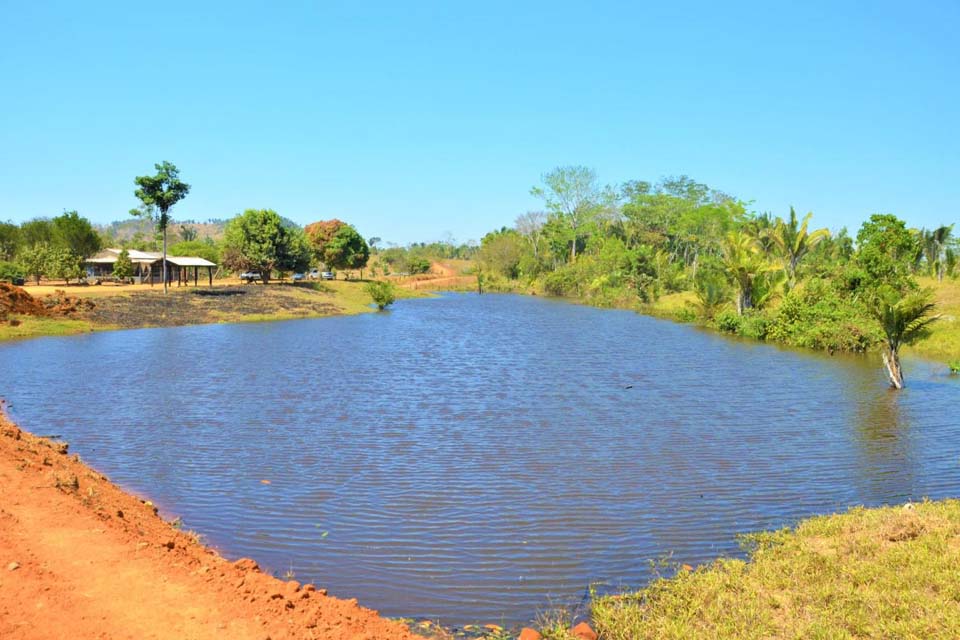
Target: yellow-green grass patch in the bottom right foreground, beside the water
889, 572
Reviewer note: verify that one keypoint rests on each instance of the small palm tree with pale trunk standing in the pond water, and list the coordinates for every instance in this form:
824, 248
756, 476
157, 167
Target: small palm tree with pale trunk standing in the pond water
902, 319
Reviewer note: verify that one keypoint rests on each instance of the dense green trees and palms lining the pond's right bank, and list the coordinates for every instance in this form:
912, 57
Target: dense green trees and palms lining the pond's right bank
754, 274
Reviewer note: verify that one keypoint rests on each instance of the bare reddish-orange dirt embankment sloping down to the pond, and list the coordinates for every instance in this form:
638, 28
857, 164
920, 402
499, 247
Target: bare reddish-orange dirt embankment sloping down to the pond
79, 558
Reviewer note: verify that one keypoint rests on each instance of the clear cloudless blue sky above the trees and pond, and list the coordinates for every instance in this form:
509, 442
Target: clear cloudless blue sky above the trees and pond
418, 120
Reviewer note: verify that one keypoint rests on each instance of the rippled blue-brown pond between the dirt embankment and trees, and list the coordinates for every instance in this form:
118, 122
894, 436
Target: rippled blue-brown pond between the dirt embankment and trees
479, 458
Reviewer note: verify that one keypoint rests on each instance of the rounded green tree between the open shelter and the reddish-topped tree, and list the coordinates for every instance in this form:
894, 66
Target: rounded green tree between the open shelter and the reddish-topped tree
258, 240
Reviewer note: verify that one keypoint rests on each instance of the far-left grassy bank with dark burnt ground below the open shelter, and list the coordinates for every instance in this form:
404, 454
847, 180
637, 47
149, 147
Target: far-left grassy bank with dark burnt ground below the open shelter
138, 307
